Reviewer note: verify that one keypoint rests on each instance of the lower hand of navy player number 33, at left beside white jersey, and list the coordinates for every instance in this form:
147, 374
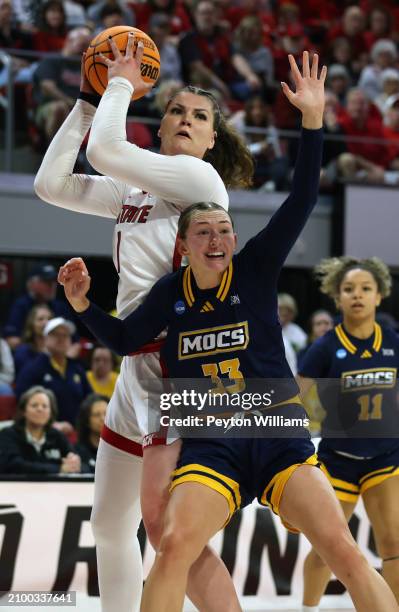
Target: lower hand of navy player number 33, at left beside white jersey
74, 277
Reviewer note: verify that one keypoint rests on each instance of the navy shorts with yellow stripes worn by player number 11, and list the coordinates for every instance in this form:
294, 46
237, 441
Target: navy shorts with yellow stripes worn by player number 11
352, 477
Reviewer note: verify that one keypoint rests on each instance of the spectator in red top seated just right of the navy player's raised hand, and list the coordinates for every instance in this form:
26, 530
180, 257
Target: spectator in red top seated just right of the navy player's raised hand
363, 119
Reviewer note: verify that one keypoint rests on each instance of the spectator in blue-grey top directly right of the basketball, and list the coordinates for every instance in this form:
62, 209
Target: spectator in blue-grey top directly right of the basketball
159, 28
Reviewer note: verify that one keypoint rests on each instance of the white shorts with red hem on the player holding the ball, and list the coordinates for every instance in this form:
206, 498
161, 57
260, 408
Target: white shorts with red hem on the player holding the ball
131, 419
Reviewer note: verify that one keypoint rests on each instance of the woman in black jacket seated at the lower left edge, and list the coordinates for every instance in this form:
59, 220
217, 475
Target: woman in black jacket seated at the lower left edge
32, 445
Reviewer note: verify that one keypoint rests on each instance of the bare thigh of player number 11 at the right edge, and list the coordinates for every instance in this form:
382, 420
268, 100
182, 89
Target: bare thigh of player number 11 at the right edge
382, 507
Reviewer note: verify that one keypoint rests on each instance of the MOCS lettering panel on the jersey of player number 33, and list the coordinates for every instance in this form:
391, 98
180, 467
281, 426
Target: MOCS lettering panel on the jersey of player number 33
221, 339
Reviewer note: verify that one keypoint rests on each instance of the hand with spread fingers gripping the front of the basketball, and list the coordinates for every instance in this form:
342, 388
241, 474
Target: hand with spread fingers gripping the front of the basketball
128, 65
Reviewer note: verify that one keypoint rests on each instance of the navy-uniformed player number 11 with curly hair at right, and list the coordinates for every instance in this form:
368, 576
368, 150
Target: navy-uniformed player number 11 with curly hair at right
361, 405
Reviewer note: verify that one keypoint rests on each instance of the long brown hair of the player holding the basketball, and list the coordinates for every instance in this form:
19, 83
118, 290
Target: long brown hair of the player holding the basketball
230, 156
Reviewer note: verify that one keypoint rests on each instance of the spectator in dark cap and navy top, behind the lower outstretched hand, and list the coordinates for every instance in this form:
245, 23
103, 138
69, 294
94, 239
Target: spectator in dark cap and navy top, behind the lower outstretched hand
41, 288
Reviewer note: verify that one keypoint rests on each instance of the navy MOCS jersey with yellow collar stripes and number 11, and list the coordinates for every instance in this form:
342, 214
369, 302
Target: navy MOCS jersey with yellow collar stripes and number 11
360, 390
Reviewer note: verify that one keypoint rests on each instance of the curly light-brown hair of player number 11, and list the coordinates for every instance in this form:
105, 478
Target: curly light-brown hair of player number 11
331, 273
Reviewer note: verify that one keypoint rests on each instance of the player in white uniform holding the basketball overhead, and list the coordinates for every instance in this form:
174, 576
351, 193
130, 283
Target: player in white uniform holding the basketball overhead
145, 193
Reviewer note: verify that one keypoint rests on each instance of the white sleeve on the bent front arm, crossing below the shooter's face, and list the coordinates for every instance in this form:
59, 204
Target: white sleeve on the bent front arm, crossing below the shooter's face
180, 179
